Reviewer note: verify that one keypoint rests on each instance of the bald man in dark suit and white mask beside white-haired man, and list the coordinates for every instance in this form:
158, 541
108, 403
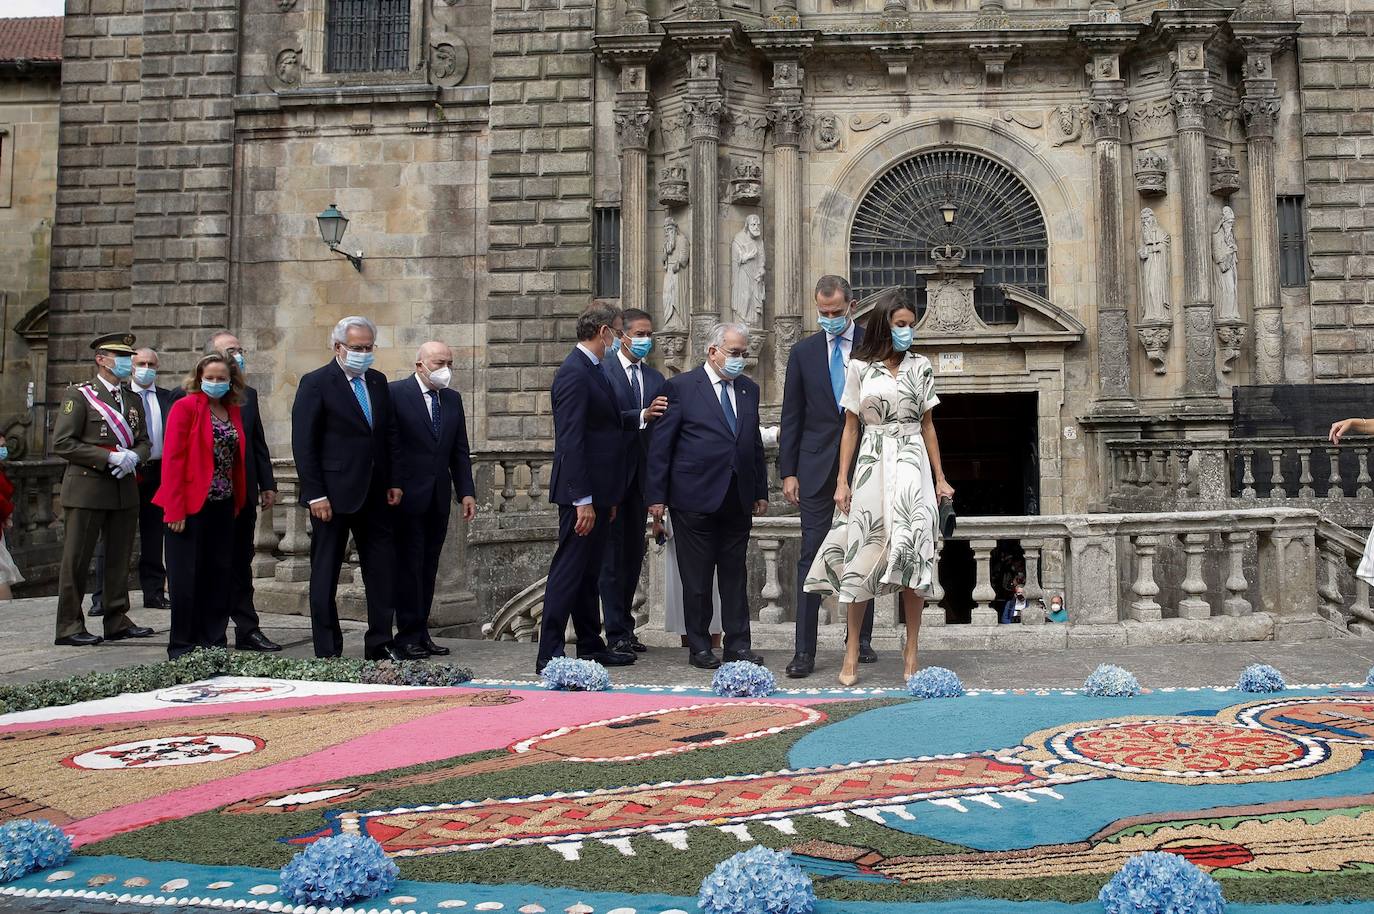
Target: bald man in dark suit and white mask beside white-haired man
435, 464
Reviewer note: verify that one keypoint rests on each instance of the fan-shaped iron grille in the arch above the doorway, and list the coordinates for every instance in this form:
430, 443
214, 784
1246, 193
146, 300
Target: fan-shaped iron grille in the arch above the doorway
995, 221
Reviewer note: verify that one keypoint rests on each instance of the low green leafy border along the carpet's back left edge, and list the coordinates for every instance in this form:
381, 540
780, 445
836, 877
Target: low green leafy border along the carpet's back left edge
218, 662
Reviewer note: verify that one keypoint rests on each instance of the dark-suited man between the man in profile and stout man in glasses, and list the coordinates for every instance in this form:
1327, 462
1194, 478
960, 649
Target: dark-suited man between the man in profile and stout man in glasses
640, 391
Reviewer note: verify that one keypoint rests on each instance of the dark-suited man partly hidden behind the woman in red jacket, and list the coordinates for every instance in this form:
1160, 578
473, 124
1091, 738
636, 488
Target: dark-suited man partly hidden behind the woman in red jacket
262, 489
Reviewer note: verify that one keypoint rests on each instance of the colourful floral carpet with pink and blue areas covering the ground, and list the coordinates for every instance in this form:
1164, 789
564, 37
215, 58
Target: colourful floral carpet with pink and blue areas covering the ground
510, 798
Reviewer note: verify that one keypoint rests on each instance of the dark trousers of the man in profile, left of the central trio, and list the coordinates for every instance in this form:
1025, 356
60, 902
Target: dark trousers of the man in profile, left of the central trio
571, 592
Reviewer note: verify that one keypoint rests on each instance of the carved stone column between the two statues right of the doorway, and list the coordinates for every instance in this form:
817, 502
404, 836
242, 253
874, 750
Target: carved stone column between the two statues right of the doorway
1192, 91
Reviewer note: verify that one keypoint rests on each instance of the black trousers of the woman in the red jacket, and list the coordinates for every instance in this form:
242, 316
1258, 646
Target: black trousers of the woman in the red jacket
199, 574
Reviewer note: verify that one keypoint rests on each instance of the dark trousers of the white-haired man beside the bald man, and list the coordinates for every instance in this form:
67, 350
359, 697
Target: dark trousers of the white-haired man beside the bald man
372, 530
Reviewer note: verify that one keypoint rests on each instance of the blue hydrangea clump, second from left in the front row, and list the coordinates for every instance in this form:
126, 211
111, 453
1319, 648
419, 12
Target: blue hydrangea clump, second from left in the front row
339, 871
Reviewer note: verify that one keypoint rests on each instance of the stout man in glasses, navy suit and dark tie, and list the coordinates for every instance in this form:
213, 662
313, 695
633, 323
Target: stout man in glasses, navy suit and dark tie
707, 464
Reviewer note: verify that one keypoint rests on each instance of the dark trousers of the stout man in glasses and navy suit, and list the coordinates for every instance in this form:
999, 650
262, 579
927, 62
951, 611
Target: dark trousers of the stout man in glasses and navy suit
715, 548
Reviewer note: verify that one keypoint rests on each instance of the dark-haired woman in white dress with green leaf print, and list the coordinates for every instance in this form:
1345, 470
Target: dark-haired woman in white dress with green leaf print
884, 535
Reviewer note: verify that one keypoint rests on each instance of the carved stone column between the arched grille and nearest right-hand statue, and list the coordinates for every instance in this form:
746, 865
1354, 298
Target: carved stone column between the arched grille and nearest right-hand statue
1105, 109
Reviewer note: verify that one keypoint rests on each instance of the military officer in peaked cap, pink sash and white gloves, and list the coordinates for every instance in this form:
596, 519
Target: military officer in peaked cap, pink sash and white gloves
102, 435
